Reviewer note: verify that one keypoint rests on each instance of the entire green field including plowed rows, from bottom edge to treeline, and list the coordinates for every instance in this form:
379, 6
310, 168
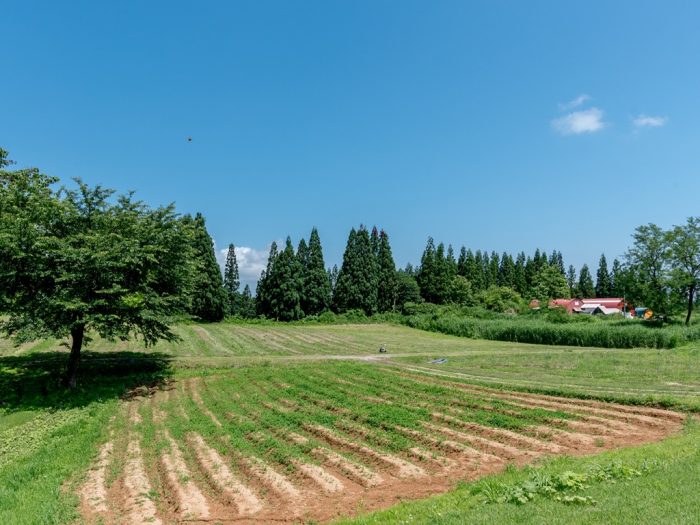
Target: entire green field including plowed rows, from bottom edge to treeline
315, 408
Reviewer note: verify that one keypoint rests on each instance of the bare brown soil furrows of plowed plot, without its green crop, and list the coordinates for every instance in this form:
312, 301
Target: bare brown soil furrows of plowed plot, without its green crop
352, 475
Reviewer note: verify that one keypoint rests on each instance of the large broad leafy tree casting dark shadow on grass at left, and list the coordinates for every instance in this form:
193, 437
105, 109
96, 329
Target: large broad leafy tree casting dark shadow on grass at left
82, 261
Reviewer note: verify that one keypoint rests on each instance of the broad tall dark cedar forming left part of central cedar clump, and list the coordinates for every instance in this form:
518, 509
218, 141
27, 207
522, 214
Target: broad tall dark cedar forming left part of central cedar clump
356, 287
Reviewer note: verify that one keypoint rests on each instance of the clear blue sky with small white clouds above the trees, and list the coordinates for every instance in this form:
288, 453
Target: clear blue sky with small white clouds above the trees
498, 125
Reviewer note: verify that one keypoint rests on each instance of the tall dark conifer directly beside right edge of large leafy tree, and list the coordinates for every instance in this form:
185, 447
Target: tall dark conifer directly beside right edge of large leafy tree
208, 295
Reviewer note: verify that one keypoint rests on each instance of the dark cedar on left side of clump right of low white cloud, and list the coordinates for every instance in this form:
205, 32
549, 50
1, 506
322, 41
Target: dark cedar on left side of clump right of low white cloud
285, 285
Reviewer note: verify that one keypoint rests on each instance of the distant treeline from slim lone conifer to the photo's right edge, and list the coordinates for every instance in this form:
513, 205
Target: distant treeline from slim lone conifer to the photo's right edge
661, 271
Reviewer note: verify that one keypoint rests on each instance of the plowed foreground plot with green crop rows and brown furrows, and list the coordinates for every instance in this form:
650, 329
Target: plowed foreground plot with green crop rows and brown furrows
315, 442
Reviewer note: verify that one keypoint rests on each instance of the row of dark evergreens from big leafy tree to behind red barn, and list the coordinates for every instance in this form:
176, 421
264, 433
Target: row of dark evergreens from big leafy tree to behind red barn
296, 283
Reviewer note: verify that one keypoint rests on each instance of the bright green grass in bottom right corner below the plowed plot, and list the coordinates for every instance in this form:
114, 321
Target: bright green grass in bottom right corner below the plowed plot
667, 493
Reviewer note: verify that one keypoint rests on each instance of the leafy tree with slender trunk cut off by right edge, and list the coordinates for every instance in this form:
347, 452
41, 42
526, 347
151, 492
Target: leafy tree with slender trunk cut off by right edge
684, 244
